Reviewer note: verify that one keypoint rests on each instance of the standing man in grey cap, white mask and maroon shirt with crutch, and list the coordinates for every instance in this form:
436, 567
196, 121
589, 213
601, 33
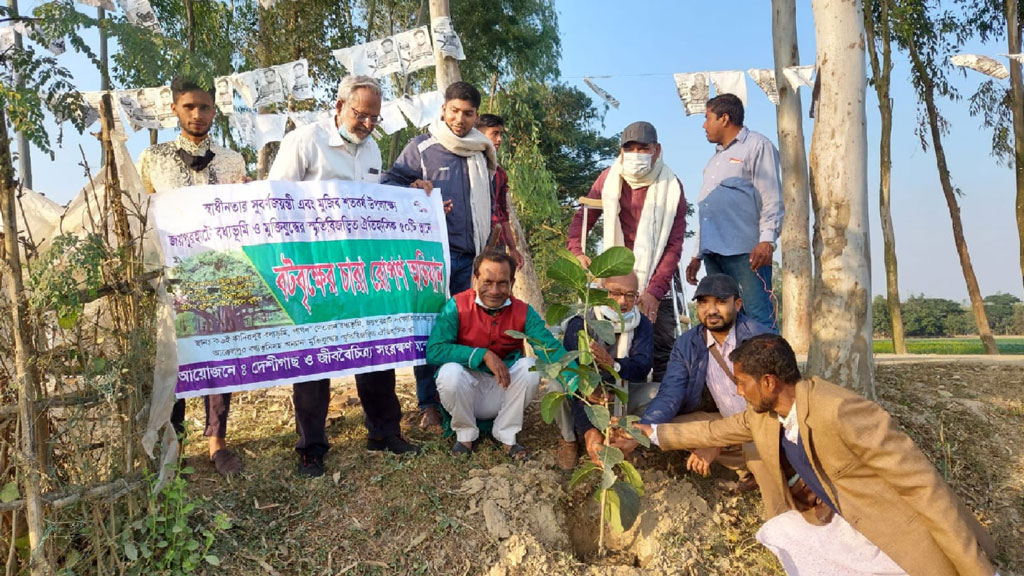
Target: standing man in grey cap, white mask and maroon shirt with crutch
646, 212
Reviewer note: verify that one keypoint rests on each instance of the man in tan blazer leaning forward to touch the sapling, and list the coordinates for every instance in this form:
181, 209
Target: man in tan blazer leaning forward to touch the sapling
850, 455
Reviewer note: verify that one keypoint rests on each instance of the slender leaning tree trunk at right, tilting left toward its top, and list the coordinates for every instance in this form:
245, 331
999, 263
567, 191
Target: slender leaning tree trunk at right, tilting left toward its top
973, 292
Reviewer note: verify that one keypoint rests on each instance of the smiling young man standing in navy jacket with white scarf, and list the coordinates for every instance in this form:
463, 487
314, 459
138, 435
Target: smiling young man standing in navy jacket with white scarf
461, 161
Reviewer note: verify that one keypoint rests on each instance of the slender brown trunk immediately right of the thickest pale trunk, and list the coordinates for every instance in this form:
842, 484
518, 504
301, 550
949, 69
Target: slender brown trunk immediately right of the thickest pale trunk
881, 75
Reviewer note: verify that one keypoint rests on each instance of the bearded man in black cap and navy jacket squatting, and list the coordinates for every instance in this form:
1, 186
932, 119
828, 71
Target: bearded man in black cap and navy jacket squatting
700, 384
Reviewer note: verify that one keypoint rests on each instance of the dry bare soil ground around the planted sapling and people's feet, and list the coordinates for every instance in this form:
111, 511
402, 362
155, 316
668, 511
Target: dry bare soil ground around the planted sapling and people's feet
380, 515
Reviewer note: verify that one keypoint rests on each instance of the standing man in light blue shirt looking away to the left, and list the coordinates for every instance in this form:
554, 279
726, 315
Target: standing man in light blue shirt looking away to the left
741, 208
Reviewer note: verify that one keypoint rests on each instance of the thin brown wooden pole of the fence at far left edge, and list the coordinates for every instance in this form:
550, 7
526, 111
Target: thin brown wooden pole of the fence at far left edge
26, 376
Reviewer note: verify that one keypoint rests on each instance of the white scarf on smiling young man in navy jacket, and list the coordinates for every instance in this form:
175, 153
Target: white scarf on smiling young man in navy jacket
482, 161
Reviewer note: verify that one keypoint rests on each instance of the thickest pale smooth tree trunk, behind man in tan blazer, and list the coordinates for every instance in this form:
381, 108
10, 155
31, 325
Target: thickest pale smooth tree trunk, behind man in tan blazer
841, 326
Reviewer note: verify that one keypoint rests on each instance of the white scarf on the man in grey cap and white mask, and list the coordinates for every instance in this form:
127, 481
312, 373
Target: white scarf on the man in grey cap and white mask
657, 218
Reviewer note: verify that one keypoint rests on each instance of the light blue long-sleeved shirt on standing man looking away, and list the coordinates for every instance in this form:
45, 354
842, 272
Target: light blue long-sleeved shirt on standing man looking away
741, 200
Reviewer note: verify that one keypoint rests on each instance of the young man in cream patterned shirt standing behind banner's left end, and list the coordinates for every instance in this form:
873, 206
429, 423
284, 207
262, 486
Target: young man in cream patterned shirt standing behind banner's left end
193, 159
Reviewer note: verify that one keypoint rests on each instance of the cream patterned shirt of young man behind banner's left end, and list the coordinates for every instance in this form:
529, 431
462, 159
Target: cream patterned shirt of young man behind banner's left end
161, 169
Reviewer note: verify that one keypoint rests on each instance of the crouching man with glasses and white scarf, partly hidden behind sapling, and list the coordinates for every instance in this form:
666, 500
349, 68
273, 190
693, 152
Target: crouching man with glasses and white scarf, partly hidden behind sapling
629, 356
